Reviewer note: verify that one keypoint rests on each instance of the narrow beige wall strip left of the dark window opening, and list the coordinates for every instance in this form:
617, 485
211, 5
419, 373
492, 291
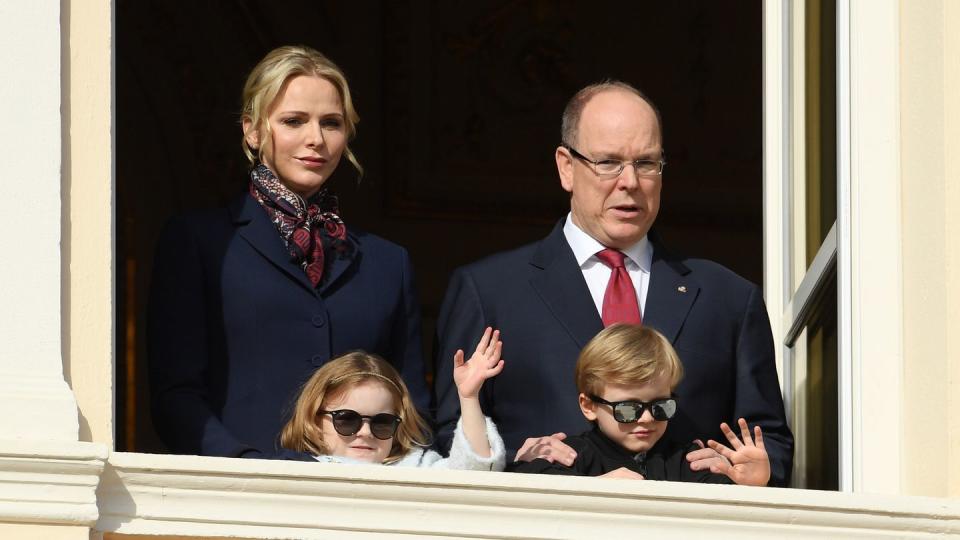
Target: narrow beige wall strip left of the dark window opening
87, 250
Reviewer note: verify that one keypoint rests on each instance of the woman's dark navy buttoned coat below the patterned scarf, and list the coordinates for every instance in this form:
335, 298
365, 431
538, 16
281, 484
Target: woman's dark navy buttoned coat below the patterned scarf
235, 328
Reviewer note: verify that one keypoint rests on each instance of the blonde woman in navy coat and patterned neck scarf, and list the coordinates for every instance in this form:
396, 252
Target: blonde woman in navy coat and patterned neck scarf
247, 301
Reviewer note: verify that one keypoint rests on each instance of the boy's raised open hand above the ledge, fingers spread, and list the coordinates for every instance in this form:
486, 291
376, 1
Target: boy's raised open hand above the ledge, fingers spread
749, 464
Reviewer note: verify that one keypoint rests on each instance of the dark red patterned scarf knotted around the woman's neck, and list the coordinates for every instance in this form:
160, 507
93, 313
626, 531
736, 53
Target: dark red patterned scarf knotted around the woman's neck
310, 229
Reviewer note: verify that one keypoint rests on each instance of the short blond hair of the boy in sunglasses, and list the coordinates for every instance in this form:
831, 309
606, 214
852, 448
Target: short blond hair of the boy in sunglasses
626, 354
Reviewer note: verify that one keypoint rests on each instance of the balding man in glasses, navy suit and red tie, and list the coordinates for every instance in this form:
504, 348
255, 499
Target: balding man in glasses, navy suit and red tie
598, 267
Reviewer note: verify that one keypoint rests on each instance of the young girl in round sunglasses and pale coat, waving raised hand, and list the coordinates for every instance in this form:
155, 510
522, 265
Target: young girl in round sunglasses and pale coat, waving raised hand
356, 409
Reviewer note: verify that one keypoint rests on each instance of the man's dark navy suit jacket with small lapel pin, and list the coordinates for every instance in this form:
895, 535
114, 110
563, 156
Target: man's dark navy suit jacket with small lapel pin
537, 297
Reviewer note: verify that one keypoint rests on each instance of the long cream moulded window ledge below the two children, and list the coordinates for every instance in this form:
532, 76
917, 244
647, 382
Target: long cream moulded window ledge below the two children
190, 495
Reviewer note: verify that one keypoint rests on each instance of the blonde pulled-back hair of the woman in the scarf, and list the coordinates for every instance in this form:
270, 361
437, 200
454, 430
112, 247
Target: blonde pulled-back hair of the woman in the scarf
267, 80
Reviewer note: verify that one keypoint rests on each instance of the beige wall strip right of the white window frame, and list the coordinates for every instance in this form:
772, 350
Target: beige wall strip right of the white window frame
924, 246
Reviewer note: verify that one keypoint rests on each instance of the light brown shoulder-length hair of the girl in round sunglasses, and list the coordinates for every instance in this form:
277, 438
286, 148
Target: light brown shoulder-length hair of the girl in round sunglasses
303, 433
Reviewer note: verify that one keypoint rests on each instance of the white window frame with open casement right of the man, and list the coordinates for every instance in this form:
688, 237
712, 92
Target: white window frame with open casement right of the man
867, 230
